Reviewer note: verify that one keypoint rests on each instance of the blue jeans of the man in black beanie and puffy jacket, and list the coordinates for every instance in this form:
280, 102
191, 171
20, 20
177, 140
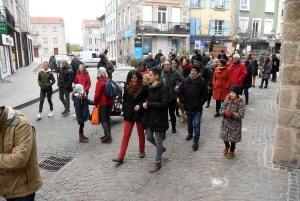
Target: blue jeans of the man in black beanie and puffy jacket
194, 124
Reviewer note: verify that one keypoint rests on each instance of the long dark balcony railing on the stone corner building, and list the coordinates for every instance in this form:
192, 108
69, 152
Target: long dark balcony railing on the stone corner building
164, 28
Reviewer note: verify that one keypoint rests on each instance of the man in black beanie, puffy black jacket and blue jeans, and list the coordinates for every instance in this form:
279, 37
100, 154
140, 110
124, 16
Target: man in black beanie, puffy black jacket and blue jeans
193, 94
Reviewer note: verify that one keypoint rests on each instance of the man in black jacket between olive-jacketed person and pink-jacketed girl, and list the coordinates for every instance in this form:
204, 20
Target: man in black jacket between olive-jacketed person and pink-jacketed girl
64, 83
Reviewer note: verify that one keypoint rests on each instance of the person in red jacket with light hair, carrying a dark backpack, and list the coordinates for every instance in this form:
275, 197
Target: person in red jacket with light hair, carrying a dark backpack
104, 102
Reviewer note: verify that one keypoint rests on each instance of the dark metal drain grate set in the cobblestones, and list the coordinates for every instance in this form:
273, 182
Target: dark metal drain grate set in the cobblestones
54, 163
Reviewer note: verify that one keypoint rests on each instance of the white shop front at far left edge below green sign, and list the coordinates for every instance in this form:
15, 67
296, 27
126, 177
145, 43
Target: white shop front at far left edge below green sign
5, 55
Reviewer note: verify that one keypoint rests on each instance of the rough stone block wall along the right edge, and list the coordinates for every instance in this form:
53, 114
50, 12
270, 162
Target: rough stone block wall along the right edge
287, 143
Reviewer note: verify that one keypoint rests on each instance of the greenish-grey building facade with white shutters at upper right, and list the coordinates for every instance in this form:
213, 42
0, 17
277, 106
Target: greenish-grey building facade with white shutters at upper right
255, 24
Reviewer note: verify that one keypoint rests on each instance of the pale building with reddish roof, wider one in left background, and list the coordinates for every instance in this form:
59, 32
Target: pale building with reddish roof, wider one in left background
48, 36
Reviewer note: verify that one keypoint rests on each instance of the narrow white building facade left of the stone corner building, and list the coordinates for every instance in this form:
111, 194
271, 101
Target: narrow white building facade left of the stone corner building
110, 27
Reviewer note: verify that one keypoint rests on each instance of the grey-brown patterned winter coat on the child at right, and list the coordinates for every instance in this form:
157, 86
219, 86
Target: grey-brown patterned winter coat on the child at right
231, 129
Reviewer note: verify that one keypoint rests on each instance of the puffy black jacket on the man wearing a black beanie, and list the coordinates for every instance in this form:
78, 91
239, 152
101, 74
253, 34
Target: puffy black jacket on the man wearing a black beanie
193, 94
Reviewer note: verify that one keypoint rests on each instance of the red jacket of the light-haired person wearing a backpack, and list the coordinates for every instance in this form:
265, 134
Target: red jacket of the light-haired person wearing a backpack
100, 99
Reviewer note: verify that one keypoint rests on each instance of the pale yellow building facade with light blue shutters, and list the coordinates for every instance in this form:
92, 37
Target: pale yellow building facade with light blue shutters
210, 18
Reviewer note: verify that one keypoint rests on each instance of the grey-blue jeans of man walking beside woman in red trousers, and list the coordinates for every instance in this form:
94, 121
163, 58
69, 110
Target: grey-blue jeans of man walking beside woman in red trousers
157, 141
